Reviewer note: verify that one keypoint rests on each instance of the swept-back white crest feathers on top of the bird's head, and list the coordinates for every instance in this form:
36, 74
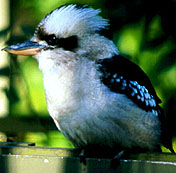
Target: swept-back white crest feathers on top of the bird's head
73, 19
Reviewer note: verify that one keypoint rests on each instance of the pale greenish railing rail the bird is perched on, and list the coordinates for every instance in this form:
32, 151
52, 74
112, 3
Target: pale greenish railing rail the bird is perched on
21, 158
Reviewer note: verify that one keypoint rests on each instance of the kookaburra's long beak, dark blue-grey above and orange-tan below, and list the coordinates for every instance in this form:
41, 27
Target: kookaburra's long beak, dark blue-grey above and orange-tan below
27, 48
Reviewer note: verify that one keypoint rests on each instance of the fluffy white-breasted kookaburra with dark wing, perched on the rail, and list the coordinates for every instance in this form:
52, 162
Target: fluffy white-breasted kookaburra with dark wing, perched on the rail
98, 99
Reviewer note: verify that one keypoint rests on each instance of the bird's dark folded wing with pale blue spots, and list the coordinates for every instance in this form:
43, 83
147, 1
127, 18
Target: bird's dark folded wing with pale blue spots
123, 76
